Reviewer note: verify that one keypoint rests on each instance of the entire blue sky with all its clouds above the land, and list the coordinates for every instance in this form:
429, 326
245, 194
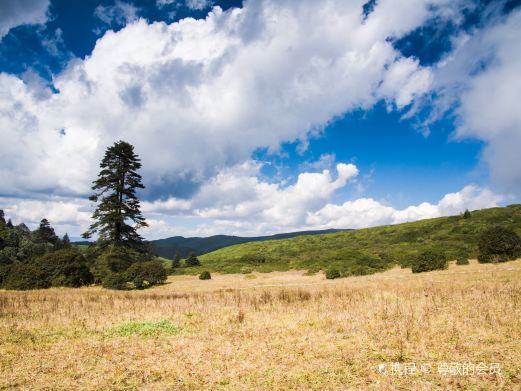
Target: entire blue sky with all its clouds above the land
262, 117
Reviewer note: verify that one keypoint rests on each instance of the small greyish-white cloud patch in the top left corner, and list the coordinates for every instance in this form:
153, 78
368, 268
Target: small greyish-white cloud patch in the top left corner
20, 12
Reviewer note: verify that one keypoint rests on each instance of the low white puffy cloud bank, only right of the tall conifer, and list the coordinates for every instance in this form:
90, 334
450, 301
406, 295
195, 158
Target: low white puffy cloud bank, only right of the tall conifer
237, 202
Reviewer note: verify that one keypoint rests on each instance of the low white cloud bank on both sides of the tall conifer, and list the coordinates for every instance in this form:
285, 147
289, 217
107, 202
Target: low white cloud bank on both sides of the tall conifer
237, 202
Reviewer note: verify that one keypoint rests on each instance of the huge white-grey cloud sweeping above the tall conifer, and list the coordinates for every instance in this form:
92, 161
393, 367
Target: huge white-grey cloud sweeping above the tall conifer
198, 96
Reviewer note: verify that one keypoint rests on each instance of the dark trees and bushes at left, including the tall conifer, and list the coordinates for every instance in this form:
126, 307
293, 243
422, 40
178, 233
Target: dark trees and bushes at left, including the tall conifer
119, 258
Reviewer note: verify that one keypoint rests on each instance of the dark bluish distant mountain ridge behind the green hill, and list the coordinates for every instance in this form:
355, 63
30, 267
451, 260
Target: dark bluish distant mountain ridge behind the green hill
167, 248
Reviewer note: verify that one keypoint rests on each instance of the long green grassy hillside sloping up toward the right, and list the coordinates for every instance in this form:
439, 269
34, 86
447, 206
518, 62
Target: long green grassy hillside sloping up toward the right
364, 251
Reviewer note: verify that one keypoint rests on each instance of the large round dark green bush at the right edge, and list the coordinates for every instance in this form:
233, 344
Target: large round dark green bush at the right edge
499, 244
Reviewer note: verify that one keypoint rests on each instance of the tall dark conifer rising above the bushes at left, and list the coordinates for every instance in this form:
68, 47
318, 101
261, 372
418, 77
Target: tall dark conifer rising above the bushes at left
118, 216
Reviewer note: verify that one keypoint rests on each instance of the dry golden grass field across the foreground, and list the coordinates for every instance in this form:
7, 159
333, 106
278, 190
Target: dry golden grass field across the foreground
274, 331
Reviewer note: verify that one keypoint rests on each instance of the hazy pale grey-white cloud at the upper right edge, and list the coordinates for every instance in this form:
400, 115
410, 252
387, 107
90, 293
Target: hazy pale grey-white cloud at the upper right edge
481, 77
